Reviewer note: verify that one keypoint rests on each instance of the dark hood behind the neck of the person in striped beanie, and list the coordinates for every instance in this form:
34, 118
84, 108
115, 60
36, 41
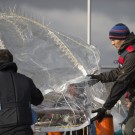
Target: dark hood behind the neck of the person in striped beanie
129, 41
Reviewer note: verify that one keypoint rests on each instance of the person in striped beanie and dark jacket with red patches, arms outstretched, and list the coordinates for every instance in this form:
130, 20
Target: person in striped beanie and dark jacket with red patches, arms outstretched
123, 76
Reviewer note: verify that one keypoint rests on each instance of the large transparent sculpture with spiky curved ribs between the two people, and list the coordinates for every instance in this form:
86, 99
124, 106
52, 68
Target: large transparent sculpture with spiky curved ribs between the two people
58, 64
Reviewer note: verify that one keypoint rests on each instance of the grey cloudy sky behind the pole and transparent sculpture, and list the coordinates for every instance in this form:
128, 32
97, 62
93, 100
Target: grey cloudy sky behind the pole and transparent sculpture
70, 17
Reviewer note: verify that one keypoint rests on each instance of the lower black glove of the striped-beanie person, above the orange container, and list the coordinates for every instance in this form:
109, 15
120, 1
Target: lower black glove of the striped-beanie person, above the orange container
100, 114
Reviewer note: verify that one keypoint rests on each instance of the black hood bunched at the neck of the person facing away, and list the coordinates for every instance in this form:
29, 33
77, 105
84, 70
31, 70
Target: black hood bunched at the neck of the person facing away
8, 66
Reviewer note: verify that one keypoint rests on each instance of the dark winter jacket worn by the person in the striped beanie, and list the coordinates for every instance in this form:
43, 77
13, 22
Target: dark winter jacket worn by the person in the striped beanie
123, 76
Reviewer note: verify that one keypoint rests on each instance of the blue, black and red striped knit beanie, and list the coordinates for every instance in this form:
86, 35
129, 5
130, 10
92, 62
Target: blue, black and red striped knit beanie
119, 31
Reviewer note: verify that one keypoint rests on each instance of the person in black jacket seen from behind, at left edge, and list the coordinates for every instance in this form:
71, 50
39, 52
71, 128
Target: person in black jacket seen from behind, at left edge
17, 93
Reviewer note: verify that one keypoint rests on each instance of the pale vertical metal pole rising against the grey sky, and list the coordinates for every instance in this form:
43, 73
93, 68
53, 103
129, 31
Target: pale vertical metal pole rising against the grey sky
88, 22
